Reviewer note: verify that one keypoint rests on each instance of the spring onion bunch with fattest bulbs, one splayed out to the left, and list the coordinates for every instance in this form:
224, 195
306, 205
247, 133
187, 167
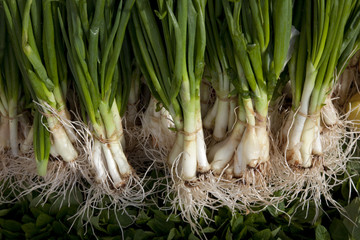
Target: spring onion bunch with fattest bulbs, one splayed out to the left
260, 34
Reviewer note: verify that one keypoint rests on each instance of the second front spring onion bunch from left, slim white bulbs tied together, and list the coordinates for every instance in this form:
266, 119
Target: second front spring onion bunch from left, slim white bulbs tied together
94, 36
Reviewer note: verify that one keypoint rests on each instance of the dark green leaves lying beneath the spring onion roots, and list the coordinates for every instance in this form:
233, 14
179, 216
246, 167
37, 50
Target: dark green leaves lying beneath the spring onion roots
27, 219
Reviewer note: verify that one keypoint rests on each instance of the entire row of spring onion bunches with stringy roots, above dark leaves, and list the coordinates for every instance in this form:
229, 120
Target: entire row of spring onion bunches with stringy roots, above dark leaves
192, 106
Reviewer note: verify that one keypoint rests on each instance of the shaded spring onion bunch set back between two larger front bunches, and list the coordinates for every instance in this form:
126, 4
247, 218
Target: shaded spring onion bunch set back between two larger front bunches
221, 116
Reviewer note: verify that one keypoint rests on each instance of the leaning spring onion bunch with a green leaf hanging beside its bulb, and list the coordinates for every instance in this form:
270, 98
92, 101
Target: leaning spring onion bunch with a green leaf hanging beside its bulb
40, 56
